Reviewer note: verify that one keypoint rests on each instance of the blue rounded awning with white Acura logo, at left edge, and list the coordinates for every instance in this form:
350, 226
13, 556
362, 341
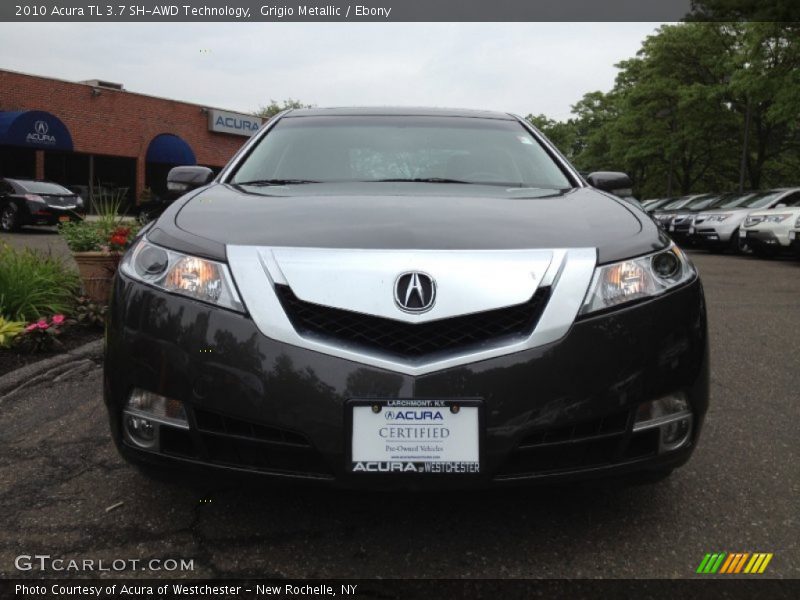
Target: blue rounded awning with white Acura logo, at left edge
34, 129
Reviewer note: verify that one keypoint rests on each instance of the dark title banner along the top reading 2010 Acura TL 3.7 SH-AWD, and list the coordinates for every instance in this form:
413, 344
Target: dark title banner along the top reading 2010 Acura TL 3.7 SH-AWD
396, 10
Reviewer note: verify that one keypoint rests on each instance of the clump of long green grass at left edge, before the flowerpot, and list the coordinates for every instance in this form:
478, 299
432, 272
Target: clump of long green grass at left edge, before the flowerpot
34, 285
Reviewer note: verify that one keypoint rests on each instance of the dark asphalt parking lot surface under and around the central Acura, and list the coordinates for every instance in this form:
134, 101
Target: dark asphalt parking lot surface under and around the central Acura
59, 473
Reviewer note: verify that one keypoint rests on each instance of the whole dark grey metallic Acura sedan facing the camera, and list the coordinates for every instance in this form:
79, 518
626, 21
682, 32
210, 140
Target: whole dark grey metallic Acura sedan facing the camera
405, 298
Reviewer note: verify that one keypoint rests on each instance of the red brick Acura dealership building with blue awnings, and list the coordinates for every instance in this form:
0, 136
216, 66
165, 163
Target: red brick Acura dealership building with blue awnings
95, 133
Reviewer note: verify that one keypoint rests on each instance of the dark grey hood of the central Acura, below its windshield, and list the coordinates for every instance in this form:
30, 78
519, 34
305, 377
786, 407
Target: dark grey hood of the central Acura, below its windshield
405, 216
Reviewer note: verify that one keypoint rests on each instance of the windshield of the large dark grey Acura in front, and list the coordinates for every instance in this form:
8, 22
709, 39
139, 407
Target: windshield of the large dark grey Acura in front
417, 149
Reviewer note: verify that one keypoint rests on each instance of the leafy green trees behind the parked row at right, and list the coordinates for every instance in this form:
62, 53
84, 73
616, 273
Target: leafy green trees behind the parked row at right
703, 106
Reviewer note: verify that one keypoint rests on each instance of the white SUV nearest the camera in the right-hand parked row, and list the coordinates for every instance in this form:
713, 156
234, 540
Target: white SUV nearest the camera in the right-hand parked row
767, 231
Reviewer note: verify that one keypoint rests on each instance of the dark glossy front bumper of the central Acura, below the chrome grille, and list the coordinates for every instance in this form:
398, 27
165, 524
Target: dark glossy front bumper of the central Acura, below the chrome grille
556, 412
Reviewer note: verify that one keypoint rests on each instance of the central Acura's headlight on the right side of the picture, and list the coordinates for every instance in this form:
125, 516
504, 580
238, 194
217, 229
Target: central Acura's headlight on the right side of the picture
636, 279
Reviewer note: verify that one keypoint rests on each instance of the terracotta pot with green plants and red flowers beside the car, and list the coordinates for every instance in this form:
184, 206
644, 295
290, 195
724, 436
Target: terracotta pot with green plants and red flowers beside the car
97, 243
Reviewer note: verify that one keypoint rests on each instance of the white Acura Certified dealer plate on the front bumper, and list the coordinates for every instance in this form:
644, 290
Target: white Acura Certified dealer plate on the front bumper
415, 436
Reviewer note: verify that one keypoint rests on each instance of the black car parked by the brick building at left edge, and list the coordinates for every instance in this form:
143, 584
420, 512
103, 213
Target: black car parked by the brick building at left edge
32, 202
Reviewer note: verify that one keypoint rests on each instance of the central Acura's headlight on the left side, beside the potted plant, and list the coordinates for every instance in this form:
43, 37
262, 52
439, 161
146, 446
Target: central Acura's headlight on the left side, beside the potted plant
199, 278
